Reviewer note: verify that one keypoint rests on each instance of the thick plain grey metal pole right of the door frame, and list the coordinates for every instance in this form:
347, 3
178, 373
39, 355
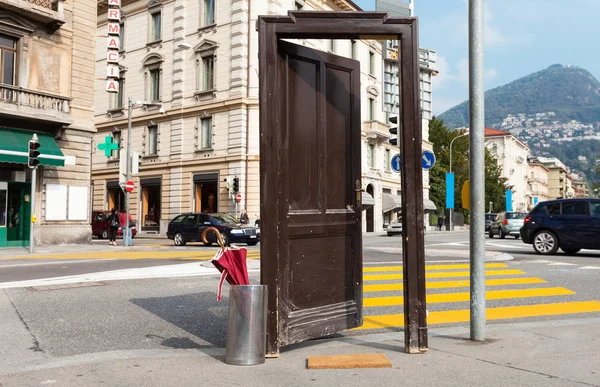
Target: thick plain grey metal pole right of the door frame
477, 205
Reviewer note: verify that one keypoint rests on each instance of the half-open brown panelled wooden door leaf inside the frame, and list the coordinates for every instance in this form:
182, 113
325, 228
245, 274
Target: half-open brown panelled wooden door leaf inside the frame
319, 242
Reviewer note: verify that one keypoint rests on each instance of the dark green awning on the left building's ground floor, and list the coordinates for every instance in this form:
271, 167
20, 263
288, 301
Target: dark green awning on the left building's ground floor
15, 140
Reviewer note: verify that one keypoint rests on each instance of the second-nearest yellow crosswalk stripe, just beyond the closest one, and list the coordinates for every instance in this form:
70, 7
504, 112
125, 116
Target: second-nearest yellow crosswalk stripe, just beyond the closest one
466, 296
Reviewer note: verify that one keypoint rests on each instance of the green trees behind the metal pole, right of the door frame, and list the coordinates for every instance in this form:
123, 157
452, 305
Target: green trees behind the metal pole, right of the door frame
441, 137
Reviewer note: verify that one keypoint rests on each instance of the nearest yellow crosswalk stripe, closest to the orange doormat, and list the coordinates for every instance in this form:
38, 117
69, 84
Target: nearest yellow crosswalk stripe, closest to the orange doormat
502, 313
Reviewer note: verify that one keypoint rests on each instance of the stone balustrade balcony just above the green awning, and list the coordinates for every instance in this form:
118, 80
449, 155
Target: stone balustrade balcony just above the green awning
18, 102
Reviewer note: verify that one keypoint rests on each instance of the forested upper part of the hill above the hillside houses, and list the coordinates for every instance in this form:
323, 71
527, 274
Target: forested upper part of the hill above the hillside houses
569, 91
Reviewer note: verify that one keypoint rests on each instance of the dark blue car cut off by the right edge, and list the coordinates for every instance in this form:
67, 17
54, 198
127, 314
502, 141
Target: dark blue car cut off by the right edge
571, 224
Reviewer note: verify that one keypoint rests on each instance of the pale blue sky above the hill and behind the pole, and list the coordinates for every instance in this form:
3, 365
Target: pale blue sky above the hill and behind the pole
520, 37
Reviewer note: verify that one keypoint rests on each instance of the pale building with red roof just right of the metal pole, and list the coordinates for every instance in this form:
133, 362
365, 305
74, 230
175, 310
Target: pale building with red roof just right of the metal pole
512, 156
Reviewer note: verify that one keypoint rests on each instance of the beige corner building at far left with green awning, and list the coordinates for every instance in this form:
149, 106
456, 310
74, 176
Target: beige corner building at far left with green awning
47, 64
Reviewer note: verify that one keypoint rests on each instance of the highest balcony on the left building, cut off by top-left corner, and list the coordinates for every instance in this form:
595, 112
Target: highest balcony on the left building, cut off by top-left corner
49, 12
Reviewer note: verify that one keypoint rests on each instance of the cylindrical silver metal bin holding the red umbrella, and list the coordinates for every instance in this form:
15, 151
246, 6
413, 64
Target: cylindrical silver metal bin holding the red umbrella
247, 329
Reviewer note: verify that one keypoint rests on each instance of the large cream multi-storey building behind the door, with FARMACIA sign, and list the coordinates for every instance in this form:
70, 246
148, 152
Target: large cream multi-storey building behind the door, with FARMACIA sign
196, 62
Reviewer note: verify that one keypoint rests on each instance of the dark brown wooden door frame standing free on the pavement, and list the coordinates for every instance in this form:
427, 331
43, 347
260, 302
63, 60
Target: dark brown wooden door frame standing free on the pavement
343, 25
